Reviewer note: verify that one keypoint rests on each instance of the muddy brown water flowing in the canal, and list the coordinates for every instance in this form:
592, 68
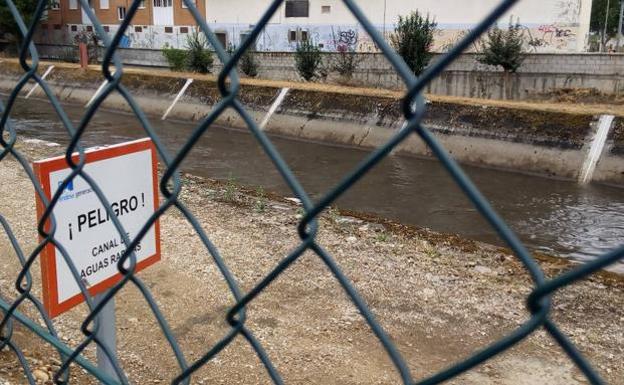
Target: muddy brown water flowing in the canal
550, 215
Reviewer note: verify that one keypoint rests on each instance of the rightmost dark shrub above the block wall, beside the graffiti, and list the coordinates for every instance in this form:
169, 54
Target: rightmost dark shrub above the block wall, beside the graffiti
503, 48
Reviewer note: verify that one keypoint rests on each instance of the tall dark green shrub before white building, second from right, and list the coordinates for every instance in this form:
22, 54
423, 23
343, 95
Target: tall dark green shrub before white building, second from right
413, 39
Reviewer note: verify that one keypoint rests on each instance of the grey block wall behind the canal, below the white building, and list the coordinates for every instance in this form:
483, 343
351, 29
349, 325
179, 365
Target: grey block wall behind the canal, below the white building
540, 73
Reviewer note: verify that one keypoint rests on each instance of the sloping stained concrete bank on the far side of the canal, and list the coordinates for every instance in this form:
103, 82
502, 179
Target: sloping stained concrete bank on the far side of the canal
518, 138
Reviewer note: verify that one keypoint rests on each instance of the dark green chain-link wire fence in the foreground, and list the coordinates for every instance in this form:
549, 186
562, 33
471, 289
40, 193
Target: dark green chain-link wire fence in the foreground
538, 302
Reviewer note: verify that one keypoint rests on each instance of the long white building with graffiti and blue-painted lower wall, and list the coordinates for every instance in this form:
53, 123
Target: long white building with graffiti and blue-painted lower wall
549, 25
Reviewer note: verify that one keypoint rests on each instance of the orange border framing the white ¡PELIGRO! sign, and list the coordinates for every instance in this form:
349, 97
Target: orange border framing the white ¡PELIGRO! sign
42, 170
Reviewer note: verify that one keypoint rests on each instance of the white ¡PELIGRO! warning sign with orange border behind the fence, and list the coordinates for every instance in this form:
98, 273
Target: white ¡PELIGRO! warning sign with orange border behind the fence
127, 175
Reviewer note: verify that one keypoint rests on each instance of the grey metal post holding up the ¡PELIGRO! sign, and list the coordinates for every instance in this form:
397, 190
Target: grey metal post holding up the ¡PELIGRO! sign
107, 335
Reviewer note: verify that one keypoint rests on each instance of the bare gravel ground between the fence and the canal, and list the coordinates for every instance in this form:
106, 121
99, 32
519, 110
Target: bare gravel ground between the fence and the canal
439, 297
